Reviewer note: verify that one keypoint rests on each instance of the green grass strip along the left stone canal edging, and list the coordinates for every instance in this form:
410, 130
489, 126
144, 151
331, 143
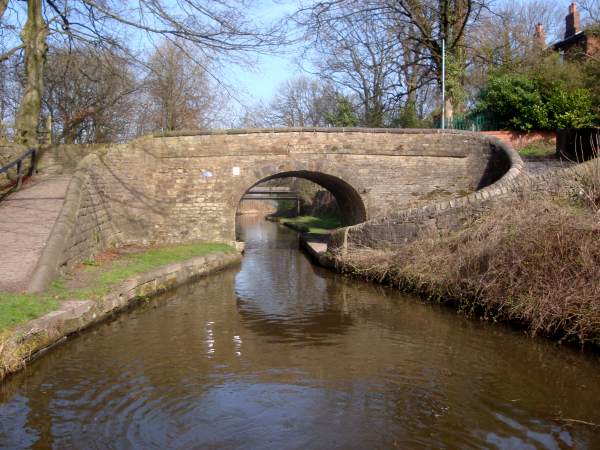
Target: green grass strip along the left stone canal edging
96, 278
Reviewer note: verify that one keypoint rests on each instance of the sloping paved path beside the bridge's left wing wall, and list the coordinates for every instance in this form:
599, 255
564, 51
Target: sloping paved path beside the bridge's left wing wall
26, 219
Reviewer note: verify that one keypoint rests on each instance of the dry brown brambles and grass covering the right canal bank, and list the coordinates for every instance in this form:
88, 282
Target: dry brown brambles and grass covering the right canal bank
535, 262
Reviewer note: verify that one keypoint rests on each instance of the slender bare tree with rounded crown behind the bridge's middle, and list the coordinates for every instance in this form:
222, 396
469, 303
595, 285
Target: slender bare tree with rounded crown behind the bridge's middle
356, 48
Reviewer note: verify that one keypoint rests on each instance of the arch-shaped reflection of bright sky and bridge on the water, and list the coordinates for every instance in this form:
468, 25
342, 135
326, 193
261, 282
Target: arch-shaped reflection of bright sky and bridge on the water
280, 294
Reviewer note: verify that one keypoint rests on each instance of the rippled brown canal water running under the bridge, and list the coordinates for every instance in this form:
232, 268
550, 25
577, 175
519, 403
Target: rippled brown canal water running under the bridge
280, 354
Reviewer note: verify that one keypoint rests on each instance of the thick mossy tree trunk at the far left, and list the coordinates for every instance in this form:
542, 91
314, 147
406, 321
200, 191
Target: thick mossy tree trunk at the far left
34, 35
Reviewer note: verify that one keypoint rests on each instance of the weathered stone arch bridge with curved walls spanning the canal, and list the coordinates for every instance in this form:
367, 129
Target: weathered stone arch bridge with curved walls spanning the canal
184, 187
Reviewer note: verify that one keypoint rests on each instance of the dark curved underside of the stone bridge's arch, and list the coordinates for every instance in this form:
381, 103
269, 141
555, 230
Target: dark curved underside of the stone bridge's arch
348, 198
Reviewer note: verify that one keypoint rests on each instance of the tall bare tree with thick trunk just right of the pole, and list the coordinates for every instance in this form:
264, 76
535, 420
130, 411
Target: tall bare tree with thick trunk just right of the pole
421, 25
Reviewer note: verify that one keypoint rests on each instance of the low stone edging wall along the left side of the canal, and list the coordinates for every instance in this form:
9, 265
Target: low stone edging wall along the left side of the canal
25, 342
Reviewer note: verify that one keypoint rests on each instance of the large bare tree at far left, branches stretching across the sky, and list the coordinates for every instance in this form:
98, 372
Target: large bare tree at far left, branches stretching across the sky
218, 29
